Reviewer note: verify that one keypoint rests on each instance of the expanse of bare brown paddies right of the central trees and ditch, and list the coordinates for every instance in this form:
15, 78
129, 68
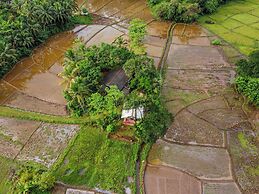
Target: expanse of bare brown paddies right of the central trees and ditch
208, 118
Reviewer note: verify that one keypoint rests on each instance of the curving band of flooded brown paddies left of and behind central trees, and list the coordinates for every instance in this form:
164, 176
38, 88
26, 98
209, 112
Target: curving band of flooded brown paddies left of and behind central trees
34, 83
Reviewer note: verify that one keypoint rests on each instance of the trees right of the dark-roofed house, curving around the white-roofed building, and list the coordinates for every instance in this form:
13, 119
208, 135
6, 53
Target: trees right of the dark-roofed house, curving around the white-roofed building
145, 84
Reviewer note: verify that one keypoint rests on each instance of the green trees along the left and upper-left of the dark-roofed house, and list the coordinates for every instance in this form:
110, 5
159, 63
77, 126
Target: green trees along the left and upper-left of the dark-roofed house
83, 69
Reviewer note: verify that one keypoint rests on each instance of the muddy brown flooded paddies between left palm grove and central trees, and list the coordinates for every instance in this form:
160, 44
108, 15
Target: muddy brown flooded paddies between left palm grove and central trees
37, 76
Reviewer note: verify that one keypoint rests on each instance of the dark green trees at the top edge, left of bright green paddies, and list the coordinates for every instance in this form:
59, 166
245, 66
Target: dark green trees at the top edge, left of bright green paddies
183, 10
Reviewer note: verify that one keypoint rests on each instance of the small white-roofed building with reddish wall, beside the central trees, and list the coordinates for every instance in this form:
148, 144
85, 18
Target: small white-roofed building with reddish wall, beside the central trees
130, 116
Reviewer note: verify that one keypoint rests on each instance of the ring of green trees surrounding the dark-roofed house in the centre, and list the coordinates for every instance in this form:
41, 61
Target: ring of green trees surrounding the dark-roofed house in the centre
84, 69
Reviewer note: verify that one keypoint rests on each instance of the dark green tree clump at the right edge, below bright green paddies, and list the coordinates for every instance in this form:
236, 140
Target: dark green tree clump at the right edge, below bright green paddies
247, 81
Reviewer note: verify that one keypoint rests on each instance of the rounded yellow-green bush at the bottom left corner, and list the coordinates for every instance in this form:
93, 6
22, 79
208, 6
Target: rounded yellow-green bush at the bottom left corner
32, 178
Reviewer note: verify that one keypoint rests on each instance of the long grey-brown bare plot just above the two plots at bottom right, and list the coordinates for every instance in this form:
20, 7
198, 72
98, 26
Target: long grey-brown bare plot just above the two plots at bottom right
202, 162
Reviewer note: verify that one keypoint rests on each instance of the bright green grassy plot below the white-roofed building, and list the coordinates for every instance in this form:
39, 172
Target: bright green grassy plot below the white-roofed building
103, 163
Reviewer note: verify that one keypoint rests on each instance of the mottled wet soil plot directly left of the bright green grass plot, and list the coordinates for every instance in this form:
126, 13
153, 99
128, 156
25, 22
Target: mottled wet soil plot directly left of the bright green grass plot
47, 143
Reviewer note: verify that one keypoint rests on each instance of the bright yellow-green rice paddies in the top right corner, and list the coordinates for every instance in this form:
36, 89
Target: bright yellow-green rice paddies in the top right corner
237, 22
